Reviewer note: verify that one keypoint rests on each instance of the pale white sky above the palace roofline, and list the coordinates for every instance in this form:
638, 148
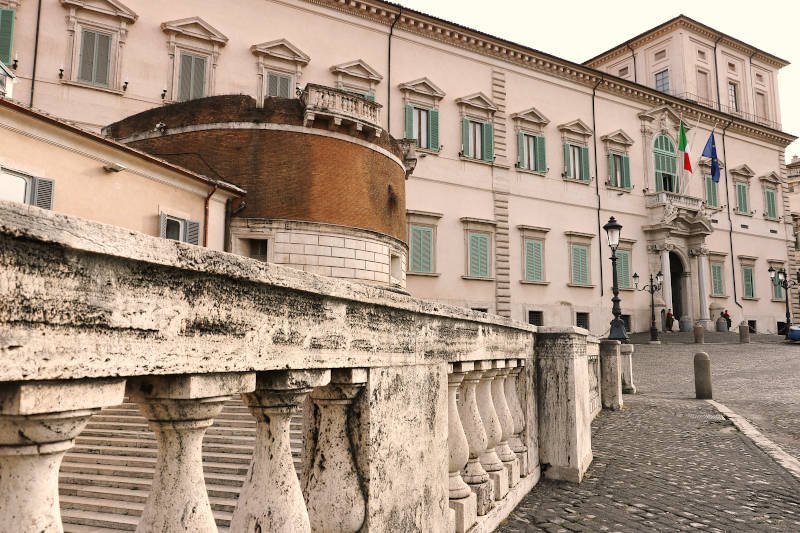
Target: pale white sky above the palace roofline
578, 30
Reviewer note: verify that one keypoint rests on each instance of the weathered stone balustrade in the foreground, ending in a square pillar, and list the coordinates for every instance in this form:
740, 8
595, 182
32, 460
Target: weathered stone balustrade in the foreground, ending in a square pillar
417, 416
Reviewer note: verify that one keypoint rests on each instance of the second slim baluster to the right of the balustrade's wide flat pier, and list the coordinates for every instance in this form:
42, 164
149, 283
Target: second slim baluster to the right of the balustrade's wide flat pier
474, 474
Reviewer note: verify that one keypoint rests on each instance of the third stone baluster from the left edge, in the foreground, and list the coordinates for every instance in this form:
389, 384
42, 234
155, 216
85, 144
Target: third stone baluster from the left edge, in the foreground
271, 498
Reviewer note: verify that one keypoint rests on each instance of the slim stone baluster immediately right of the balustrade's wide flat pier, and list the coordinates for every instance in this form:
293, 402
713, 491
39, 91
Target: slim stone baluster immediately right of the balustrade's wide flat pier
462, 501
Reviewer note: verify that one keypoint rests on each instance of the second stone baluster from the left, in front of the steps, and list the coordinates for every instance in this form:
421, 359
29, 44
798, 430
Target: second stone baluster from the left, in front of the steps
179, 409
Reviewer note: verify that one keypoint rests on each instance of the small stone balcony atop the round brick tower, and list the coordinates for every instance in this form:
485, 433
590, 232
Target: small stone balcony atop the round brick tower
341, 107
